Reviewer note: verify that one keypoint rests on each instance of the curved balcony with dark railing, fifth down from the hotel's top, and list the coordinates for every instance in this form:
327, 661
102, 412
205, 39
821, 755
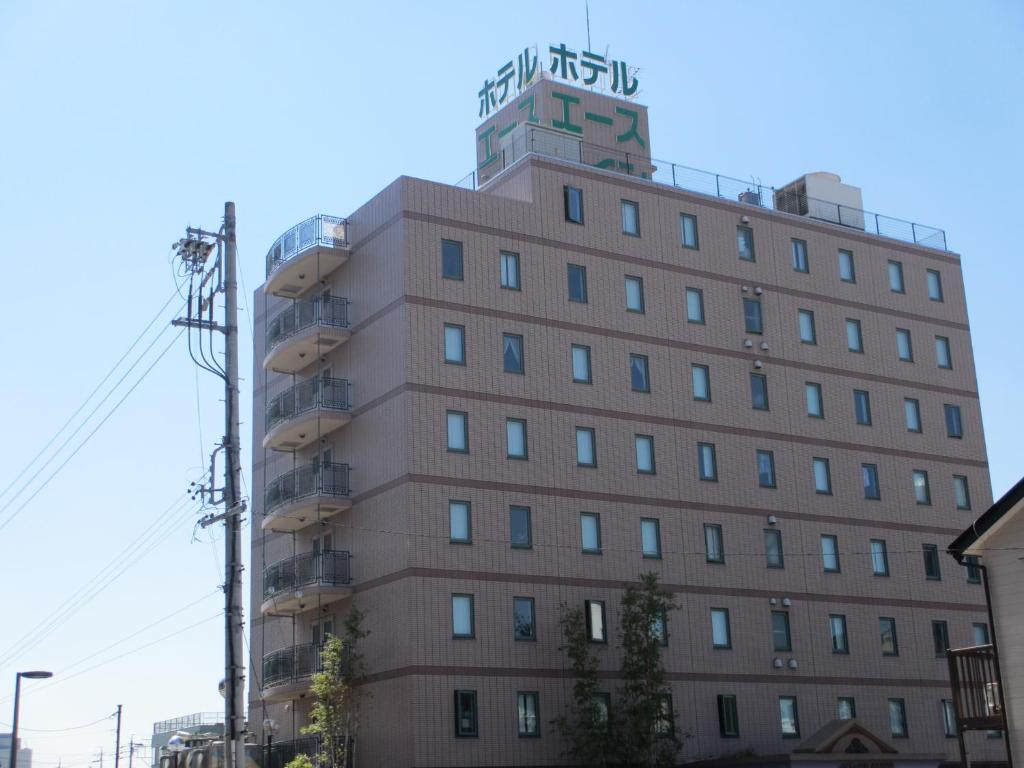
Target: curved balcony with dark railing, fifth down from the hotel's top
311, 580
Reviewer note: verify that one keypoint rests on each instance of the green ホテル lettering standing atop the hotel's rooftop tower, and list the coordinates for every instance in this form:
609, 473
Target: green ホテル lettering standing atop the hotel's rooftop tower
567, 65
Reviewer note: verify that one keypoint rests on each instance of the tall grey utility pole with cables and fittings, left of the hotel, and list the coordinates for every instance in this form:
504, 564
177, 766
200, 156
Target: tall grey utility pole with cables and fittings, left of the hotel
223, 279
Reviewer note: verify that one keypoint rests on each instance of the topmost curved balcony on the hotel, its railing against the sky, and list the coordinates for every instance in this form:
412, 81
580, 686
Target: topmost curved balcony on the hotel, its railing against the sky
306, 254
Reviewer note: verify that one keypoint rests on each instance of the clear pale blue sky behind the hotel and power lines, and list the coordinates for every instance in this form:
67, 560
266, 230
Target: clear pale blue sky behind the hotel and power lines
124, 121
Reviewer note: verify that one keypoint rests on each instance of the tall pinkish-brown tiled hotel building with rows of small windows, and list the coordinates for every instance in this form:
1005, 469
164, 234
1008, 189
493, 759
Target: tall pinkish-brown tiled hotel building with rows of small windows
474, 406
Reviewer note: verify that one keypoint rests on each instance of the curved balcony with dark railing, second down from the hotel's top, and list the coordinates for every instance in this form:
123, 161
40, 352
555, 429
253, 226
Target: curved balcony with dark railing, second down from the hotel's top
300, 335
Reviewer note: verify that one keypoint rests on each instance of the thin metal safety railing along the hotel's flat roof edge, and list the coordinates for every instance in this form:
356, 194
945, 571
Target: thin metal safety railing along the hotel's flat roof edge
554, 145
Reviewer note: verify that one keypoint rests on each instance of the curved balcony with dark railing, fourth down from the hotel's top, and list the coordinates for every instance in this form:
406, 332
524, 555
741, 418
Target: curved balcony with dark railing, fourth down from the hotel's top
307, 495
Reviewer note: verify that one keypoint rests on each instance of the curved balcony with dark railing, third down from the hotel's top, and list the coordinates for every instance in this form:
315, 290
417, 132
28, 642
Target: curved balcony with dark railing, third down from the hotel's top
307, 412
